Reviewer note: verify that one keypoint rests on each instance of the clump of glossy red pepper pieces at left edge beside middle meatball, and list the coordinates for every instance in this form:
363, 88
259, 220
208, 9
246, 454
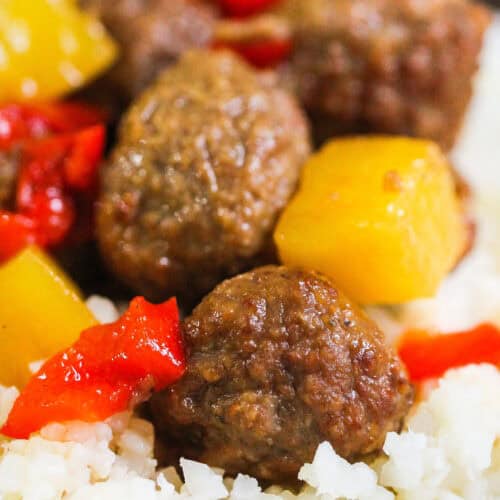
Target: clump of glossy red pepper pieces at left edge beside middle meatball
55, 171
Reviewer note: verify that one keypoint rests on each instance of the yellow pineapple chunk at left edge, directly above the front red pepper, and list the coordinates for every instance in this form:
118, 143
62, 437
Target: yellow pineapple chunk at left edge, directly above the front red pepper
41, 313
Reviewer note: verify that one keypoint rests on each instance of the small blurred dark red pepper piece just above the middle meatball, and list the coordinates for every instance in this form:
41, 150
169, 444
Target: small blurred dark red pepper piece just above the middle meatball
261, 54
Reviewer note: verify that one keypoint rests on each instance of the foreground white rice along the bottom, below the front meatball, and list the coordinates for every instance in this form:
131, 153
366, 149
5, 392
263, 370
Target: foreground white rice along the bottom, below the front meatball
450, 450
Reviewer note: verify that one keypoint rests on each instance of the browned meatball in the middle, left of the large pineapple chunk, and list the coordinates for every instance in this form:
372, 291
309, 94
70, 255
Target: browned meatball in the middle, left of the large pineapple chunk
206, 160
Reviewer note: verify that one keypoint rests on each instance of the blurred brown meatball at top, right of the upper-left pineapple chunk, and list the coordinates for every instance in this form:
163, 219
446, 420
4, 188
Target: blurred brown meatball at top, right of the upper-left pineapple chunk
152, 34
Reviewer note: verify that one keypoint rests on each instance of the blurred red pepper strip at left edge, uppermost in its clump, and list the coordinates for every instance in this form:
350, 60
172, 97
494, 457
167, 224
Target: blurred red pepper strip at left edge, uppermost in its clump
20, 122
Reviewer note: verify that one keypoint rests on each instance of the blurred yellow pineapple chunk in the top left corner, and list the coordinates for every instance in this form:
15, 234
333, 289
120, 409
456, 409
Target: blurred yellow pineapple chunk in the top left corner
49, 48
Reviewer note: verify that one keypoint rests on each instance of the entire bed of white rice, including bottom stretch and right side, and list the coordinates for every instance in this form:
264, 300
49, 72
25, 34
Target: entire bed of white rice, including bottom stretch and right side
449, 450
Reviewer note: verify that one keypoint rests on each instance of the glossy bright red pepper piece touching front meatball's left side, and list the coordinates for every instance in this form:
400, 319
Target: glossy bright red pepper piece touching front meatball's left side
109, 369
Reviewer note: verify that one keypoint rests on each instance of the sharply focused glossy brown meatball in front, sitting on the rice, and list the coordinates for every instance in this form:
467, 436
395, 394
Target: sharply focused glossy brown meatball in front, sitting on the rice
280, 360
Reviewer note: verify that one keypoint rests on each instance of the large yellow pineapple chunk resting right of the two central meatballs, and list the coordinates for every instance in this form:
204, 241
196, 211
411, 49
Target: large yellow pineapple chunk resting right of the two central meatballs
379, 215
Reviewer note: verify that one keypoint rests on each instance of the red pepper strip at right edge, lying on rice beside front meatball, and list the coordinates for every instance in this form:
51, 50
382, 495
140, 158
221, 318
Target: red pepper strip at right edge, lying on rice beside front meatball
430, 356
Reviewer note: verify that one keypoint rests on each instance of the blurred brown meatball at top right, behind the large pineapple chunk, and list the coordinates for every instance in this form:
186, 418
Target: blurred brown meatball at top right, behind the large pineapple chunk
392, 66
